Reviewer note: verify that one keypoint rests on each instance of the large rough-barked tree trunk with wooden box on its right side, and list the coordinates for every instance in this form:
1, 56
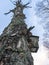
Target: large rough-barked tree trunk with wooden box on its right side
16, 41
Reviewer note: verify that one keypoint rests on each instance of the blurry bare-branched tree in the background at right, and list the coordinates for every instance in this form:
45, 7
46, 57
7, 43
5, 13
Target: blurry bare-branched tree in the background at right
42, 10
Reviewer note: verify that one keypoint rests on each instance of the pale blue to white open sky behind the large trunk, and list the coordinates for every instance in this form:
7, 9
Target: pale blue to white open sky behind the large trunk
41, 57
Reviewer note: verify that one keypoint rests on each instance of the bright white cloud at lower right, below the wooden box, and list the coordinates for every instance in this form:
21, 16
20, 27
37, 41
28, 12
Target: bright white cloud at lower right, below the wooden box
41, 57
